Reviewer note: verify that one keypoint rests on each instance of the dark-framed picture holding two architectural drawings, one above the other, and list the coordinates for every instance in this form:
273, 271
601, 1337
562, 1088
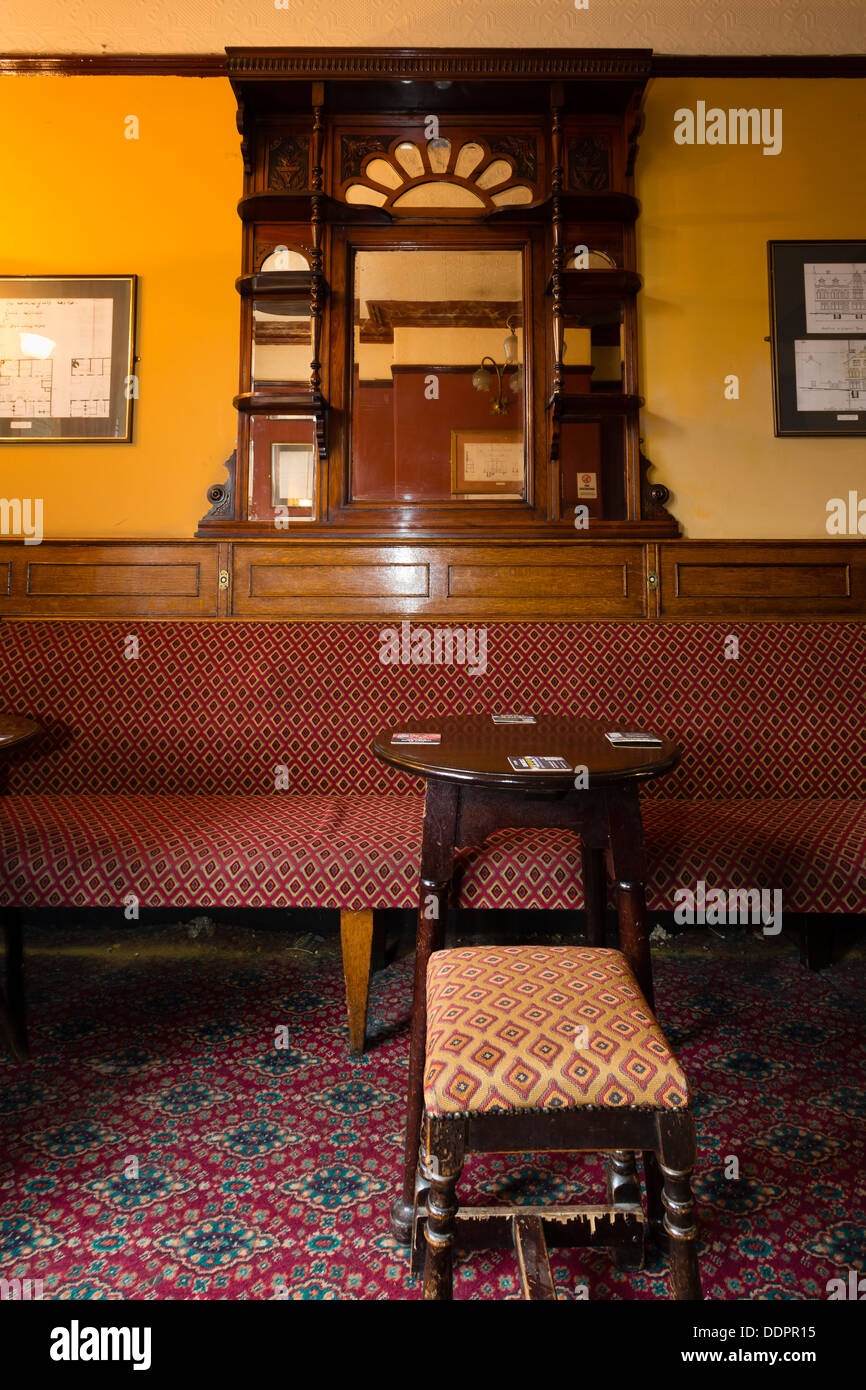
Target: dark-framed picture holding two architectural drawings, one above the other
818, 320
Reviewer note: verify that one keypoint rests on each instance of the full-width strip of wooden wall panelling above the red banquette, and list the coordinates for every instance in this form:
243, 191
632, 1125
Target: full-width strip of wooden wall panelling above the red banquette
482, 579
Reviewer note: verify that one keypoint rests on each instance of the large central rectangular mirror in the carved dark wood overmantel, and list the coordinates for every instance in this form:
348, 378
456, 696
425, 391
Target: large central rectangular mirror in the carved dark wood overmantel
439, 394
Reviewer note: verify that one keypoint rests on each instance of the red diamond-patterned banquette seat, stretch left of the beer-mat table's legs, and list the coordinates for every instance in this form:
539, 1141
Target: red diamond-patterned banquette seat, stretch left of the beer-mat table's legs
280, 851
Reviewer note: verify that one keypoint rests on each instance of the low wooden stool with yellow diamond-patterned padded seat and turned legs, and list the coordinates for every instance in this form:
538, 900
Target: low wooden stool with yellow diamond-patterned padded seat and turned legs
533, 1050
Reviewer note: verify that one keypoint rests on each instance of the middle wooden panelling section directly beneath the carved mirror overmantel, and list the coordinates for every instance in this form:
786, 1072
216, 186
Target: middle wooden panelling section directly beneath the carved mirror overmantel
496, 580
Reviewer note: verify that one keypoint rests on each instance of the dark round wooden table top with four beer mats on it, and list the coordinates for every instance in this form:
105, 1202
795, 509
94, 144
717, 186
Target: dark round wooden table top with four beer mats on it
476, 750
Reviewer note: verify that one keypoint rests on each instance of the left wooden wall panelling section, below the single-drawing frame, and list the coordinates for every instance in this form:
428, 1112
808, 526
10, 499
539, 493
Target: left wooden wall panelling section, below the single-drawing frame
109, 579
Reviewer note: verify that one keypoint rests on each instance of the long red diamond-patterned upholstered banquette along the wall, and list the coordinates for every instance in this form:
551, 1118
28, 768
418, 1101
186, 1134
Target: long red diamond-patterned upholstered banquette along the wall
230, 764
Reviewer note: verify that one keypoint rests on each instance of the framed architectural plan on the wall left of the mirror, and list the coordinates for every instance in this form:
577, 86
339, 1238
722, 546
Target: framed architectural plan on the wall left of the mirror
67, 355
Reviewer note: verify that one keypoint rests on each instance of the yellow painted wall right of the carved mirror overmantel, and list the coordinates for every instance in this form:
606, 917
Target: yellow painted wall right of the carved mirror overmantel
708, 213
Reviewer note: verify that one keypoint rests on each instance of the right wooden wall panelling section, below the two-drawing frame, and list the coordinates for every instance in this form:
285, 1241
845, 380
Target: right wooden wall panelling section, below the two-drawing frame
762, 579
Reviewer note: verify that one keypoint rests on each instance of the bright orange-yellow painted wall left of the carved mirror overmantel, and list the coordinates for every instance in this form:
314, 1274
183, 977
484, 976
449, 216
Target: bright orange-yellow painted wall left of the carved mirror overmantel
77, 197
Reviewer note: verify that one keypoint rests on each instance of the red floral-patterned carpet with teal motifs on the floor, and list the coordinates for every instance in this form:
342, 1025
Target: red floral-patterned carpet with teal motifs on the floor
162, 1146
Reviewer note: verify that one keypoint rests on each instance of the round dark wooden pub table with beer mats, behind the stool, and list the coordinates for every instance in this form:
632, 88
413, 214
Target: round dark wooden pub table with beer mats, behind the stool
472, 790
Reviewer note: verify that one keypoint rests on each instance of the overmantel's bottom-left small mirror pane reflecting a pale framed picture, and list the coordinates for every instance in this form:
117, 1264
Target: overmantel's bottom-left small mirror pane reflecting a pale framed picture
283, 466
